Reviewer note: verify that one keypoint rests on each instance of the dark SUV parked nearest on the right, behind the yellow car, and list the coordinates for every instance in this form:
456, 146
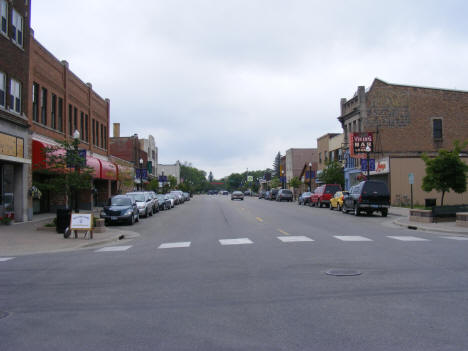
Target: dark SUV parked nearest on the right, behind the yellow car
368, 196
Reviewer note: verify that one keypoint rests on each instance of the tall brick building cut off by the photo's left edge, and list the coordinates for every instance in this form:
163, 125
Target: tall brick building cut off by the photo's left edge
15, 153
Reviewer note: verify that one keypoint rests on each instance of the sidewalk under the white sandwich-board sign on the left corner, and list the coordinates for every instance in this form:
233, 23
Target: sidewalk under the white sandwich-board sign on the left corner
24, 238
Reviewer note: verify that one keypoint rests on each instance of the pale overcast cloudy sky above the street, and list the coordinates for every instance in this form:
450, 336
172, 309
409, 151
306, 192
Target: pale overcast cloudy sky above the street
226, 84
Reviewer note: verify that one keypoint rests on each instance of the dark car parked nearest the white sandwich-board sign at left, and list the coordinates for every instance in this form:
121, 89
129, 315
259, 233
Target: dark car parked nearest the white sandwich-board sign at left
120, 208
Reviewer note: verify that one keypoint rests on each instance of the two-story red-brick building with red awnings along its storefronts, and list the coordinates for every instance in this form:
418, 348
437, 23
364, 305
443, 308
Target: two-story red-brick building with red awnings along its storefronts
62, 104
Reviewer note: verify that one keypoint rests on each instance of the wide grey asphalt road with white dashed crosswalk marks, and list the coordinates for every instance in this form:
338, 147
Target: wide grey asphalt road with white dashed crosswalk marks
261, 292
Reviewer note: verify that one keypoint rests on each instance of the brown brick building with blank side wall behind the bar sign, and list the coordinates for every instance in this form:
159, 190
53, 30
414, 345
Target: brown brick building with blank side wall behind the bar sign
404, 122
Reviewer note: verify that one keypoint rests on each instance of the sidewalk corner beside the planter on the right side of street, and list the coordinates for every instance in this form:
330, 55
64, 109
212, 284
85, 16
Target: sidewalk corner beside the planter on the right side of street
402, 220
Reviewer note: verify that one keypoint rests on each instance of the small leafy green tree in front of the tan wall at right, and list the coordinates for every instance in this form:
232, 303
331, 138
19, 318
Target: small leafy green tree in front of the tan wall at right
445, 171
